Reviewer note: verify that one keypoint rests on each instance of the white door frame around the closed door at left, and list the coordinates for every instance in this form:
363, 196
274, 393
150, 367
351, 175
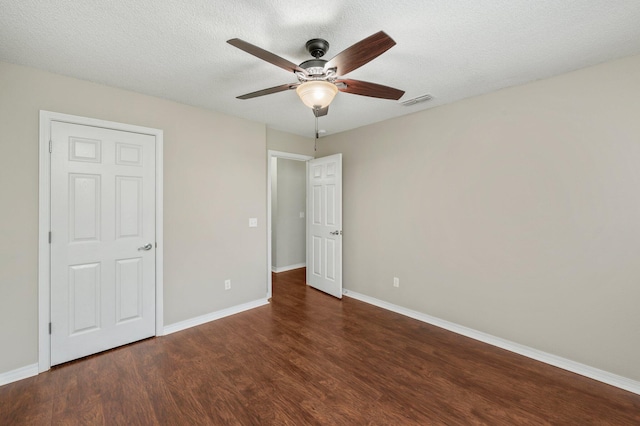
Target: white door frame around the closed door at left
44, 221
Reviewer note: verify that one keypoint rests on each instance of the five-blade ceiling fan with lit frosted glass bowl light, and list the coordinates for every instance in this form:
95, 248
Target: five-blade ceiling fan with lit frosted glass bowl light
319, 80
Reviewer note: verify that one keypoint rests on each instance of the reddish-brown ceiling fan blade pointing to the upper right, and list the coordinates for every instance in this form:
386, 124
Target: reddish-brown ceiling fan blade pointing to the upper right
360, 53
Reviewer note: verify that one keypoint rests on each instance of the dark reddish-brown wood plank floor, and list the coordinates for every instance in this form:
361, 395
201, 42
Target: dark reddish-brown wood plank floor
308, 358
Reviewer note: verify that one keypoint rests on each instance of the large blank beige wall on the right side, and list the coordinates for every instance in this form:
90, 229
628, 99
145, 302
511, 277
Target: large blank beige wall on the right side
515, 213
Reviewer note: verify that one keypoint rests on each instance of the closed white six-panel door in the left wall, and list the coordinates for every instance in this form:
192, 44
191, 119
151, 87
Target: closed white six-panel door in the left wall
102, 241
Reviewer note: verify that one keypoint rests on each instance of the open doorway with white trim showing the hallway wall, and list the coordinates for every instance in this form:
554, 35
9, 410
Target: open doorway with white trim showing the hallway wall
286, 213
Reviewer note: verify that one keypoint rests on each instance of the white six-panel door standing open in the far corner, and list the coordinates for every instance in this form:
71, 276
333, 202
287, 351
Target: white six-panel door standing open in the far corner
324, 224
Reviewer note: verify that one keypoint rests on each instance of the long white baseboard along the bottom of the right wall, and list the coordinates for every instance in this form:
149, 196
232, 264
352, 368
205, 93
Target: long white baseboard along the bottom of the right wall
566, 364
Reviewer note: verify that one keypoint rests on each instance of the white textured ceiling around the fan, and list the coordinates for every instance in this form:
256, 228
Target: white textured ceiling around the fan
177, 49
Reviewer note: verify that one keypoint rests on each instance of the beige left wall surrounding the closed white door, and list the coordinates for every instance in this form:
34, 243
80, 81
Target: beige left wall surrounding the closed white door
214, 180
